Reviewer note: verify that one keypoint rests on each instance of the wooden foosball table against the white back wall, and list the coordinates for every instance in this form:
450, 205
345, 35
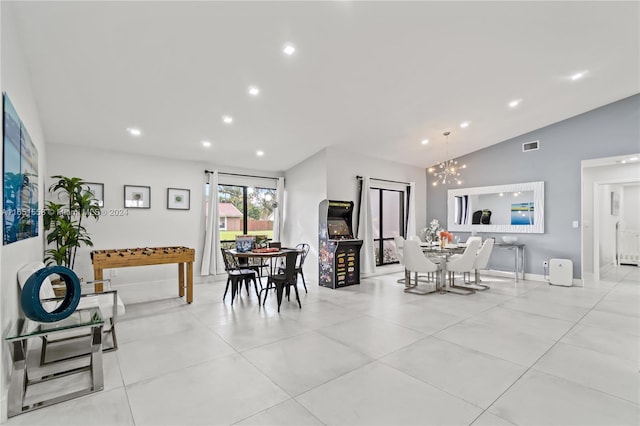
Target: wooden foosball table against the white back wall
122, 258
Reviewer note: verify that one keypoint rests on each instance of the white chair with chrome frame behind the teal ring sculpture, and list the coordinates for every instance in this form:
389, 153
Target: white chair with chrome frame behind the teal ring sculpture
110, 304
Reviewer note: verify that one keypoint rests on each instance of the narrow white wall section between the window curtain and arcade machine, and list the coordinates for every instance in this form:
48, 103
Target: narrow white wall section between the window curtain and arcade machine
306, 186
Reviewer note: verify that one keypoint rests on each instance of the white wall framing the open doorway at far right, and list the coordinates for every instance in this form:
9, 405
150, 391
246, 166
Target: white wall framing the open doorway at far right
590, 177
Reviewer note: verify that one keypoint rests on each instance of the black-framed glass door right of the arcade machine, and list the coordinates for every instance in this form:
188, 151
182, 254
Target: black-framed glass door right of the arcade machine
387, 210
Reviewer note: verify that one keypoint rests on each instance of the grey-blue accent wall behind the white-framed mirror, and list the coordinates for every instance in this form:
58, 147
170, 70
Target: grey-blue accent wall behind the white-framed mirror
608, 131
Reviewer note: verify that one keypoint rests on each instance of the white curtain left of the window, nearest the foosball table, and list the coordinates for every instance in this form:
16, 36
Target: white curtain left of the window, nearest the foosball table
212, 262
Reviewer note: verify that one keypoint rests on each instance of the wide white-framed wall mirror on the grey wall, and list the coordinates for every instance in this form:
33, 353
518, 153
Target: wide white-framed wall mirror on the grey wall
512, 208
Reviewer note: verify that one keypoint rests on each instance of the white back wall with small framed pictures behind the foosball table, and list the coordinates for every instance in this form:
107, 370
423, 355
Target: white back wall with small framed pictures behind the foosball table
152, 227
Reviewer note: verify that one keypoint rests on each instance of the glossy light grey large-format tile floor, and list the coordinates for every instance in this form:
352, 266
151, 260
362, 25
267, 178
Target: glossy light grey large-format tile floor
525, 354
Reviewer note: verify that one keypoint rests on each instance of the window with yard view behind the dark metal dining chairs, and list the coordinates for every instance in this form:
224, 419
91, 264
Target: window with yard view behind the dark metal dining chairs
245, 210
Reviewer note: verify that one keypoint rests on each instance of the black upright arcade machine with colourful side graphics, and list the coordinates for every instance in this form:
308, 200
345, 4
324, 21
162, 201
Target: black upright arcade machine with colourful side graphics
339, 252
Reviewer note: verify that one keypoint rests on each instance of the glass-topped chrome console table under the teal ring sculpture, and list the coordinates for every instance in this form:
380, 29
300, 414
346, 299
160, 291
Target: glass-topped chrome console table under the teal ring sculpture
24, 329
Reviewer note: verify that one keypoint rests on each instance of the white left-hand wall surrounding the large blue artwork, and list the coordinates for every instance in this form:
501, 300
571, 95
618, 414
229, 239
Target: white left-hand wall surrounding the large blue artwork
16, 83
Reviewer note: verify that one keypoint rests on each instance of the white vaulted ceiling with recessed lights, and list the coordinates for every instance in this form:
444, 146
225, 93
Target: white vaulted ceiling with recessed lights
375, 77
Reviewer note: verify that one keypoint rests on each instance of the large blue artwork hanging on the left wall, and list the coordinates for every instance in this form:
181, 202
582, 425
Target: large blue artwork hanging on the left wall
20, 179
